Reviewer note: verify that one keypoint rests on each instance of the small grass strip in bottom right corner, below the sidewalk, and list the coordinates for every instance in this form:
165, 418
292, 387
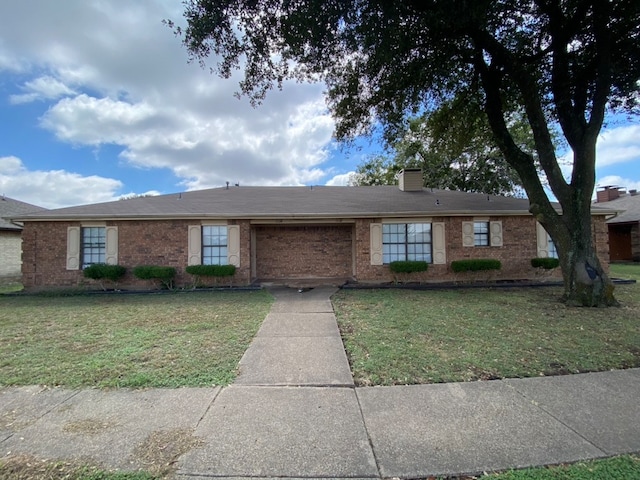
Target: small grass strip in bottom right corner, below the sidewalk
626, 467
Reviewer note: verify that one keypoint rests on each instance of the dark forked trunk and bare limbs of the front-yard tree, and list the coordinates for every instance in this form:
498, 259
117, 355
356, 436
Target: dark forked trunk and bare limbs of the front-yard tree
585, 281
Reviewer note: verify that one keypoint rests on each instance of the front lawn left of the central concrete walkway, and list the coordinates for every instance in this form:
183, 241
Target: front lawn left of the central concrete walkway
164, 340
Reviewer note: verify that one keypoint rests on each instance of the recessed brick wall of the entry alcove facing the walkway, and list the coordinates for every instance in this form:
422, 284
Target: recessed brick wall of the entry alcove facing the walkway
304, 251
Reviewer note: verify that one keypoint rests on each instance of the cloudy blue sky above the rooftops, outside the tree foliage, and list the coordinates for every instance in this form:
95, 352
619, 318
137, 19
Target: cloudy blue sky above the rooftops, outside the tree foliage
97, 101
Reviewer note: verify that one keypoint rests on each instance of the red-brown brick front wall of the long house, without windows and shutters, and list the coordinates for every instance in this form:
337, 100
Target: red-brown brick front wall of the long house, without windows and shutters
280, 251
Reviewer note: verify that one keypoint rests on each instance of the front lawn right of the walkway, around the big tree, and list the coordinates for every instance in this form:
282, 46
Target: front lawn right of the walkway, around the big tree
410, 337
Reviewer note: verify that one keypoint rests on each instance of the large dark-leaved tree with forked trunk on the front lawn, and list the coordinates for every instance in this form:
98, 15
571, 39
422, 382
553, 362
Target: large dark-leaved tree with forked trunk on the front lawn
558, 61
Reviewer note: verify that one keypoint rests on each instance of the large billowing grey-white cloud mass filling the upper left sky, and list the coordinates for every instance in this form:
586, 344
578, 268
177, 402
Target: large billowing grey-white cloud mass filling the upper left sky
125, 81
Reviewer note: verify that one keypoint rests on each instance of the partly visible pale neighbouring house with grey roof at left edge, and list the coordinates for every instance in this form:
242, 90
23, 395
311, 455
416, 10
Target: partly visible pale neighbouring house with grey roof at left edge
10, 238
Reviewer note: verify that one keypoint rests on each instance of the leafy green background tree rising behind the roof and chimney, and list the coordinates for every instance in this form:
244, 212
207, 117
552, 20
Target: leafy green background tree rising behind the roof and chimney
454, 147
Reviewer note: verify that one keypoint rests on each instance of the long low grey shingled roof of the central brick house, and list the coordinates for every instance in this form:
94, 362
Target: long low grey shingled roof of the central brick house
296, 202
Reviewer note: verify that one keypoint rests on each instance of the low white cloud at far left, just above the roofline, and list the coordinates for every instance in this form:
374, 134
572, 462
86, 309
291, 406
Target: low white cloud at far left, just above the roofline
53, 188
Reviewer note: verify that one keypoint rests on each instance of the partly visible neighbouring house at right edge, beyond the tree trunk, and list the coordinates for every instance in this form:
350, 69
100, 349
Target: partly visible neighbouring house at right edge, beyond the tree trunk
624, 228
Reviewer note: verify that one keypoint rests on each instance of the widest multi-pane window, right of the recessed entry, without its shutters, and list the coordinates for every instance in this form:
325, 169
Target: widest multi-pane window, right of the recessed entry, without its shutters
406, 241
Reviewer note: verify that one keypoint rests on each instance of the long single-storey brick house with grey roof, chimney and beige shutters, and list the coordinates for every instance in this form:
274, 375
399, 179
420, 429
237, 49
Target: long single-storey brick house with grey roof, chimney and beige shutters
285, 234
